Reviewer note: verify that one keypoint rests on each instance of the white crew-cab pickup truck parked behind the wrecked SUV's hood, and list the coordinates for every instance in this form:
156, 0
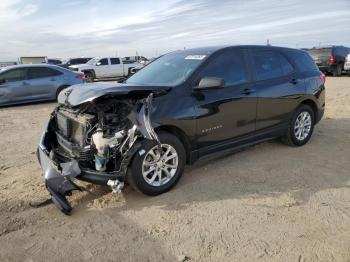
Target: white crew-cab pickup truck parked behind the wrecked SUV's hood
106, 67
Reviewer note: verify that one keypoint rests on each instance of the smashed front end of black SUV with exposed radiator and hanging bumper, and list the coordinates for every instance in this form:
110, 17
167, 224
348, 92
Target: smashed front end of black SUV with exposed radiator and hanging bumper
94, 142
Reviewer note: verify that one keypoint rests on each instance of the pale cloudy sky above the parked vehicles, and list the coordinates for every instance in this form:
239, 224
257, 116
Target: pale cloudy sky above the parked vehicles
63, 29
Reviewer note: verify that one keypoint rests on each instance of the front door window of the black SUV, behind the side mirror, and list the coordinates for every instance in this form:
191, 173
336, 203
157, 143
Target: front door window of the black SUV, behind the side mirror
229, 65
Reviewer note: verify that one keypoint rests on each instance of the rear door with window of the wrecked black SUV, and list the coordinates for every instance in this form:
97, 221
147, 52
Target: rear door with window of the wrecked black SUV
278, 86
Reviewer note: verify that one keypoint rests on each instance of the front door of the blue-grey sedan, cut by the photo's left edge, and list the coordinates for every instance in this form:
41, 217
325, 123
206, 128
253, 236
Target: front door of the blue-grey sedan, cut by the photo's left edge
14, 87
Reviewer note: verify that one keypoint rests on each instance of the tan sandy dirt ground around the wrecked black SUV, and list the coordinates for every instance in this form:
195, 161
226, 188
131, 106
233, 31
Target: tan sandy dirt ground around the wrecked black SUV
270, 202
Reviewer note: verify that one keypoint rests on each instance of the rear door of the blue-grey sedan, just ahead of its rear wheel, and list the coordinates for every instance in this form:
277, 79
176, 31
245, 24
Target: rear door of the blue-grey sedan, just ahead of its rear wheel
43, 82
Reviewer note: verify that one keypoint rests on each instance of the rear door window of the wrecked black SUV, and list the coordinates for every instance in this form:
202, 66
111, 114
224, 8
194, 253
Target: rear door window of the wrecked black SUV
270, 64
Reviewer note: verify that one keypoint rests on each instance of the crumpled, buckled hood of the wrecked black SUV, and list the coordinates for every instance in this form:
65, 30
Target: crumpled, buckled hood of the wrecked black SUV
88, 92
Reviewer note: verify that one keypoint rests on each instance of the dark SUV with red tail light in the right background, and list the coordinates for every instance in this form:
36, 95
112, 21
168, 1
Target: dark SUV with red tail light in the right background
330, 59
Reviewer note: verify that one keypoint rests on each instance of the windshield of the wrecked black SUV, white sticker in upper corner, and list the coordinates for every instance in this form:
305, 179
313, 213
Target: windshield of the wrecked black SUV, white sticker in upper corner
169, 70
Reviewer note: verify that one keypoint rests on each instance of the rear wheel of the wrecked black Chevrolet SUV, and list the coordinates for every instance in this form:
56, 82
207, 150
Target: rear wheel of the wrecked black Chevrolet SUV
292, 136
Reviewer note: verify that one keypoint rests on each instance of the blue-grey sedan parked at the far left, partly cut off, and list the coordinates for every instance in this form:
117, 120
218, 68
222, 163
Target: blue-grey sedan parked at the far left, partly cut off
31, 83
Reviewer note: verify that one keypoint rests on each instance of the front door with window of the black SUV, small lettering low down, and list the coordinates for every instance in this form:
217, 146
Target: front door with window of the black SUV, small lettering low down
229, 112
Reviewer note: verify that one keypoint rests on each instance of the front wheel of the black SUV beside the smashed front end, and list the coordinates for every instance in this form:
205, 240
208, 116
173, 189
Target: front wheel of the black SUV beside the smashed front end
141, 172
